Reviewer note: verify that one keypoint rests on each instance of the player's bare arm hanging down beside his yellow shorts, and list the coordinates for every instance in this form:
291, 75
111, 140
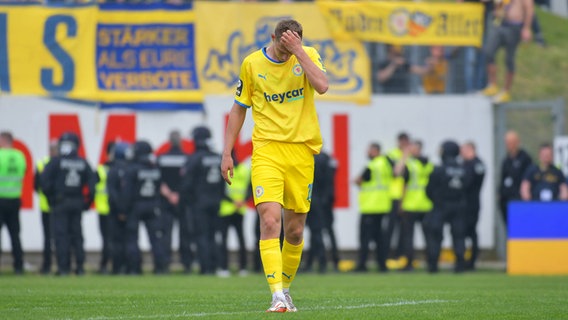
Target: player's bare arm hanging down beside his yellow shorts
234, 125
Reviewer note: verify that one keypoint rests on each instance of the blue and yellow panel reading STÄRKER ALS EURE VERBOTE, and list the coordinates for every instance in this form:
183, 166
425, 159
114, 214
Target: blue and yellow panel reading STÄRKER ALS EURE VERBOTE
145, 57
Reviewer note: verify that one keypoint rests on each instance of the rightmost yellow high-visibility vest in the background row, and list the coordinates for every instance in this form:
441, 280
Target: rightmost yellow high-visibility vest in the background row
415, 198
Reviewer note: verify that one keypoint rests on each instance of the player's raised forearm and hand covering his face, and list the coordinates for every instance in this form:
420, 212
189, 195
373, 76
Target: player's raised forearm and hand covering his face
315, 75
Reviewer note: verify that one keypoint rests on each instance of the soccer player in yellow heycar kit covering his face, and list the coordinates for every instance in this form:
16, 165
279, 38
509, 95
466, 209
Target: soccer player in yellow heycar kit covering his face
278, 83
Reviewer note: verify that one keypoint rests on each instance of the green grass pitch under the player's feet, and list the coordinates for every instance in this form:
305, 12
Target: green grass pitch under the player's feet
481, 295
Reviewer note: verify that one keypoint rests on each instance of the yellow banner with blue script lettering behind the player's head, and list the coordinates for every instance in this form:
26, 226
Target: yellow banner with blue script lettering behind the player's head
228, 32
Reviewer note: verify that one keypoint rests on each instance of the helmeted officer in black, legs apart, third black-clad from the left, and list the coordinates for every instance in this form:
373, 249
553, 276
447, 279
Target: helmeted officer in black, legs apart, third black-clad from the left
142, 204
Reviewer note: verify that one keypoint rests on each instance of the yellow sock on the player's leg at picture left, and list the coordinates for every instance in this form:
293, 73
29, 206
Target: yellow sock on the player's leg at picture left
272, 262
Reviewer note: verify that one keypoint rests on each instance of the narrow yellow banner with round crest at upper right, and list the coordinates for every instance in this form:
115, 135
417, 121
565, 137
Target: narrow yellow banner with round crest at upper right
405, 23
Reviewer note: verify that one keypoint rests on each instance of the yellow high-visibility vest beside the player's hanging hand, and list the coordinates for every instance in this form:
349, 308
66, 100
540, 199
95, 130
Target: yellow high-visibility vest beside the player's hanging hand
237, 191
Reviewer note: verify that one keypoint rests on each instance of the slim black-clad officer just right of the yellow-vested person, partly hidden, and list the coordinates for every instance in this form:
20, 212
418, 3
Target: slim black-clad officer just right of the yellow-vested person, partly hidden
117, 216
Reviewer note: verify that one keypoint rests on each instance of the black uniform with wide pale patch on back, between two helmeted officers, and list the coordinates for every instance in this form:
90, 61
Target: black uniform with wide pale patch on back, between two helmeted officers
170, 164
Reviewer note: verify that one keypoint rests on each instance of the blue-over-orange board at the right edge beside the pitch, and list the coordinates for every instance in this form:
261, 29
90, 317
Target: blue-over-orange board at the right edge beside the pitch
537, 238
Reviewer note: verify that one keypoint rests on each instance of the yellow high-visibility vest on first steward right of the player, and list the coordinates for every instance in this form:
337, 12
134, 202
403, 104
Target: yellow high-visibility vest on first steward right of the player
374, 196
